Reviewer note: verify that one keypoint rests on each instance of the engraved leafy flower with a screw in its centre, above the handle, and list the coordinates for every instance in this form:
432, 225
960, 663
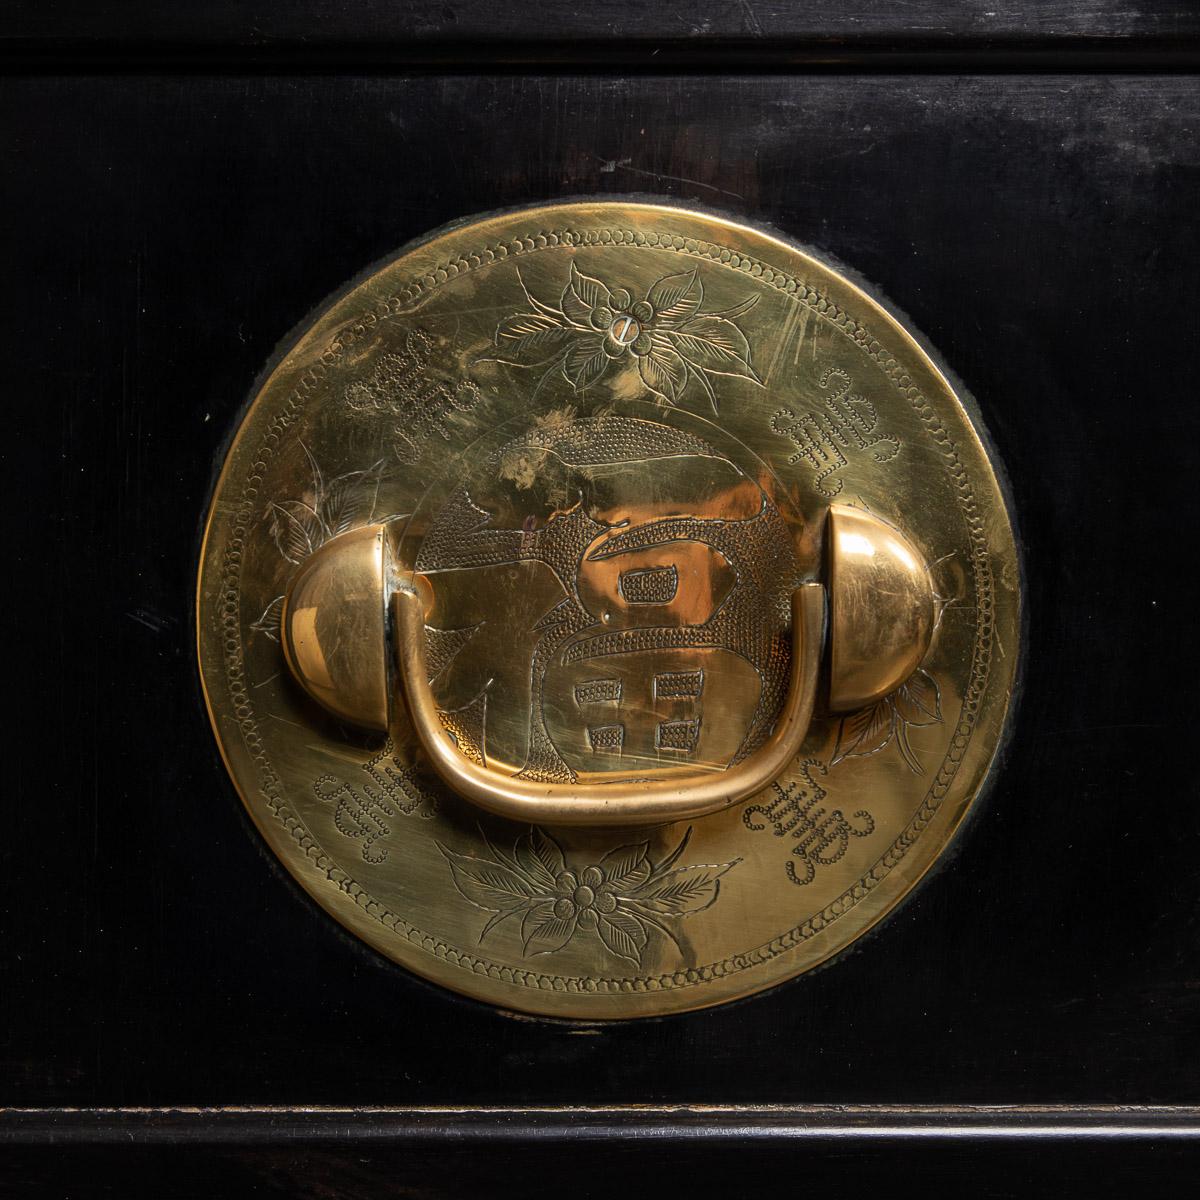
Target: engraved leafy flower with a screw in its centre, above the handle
596, 328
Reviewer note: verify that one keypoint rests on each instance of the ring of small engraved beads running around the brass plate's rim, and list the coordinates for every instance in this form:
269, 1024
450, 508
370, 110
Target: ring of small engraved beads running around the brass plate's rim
403, 303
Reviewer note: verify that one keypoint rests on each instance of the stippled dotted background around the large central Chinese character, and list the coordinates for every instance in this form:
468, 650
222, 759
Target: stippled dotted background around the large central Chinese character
461, 535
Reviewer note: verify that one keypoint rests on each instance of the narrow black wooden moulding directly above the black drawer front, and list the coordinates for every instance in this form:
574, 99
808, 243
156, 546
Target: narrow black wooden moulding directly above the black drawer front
899, 52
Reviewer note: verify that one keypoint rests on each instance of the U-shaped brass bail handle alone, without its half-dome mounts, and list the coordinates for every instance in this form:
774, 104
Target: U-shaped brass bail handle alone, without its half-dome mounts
646, 802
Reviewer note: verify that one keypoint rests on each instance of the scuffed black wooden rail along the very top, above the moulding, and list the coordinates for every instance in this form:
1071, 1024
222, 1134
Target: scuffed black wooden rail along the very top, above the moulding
316, 22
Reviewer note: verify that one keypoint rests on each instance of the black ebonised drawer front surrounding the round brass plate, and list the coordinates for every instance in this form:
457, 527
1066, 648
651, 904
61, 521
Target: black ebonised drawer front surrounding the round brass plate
166, 232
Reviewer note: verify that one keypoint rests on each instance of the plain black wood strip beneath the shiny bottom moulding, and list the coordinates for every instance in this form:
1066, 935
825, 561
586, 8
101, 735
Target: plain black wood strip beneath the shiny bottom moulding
632, 1160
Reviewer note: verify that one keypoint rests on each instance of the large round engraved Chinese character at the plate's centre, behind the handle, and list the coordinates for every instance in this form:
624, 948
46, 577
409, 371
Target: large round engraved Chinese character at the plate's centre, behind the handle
573, 673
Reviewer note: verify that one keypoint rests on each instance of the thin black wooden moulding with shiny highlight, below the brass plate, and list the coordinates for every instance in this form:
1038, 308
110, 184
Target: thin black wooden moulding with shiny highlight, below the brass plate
260, 1126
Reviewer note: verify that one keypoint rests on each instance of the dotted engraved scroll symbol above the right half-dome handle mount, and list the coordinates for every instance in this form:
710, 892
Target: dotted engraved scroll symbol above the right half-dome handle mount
823, 436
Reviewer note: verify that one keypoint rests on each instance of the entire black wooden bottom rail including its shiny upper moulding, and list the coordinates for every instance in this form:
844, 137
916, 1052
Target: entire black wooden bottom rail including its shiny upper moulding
331, 1155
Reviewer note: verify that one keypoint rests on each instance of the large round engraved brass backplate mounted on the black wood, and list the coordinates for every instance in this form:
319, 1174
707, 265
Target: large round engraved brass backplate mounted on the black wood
747, 379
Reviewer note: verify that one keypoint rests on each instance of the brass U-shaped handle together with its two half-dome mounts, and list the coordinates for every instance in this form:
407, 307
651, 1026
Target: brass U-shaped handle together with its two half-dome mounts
334, 638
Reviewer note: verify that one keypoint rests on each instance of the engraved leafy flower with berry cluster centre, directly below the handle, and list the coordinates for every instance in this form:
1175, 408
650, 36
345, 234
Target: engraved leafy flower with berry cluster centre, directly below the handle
622, 899
